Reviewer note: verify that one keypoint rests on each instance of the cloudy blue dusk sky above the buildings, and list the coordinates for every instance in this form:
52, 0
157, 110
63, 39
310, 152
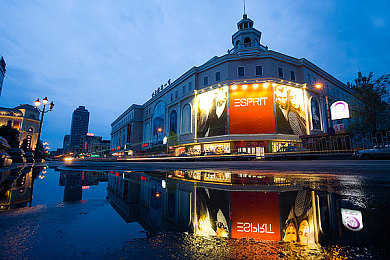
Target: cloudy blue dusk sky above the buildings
107, 55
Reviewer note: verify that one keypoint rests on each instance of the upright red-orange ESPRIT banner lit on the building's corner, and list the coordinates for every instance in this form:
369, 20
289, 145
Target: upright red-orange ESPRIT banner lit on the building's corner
251, 109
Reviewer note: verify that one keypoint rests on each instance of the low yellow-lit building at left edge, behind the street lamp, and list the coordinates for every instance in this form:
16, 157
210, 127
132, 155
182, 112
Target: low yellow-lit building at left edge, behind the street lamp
25, 119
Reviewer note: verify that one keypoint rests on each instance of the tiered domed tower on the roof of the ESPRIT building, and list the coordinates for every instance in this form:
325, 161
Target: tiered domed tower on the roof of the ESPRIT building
246, 36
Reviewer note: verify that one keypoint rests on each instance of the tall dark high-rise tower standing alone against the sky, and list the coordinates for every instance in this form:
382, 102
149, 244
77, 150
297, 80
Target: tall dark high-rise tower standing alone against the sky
79, 128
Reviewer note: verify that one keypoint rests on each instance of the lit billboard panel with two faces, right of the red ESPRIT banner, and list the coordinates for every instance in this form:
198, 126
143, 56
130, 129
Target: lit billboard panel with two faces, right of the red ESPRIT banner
289, 110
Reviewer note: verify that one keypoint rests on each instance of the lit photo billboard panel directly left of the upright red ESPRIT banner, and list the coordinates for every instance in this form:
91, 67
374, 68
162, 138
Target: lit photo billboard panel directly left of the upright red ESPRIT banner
212, 113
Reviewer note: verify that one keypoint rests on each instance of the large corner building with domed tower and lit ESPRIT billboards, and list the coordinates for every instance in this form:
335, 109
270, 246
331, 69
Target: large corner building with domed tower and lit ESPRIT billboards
251, 99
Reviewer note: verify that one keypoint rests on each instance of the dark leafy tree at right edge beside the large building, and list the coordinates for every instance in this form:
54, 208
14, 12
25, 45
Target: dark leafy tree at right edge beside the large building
372, 114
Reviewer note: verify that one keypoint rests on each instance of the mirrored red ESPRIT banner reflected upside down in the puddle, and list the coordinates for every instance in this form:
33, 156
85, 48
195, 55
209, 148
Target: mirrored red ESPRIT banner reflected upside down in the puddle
255, 215
